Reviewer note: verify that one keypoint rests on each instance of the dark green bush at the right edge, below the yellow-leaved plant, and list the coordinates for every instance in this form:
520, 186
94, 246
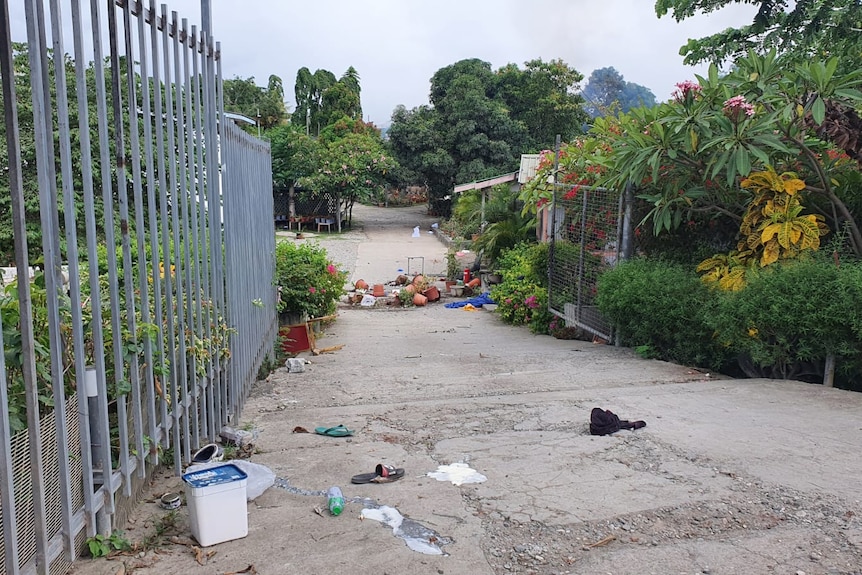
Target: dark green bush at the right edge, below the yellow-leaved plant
791, 315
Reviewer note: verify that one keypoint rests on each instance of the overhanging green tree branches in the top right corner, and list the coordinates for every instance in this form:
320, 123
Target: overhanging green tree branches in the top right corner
802, 30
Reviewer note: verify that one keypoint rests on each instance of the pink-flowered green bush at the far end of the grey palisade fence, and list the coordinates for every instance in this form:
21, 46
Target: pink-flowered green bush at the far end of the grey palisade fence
307, 281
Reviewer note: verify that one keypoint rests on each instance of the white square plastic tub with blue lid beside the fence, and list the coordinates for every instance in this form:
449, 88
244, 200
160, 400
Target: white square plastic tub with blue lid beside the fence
217, 504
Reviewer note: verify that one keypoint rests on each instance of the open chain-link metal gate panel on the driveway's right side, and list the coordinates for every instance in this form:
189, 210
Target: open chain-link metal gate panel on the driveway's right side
585, 227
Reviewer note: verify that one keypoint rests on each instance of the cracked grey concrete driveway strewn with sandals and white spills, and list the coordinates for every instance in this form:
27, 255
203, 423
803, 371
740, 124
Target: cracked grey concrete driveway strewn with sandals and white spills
729, 476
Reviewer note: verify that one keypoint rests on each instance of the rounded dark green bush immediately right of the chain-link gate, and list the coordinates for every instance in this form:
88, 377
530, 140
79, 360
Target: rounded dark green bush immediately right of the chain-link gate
662, 309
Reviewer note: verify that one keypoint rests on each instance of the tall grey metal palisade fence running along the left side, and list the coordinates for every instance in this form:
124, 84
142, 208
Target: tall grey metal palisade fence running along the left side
139, 303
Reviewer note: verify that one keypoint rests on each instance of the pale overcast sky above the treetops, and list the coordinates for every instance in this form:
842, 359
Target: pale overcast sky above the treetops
397, 45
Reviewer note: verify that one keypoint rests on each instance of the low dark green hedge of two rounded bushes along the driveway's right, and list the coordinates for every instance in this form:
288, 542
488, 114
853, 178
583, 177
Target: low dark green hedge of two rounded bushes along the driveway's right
783, 324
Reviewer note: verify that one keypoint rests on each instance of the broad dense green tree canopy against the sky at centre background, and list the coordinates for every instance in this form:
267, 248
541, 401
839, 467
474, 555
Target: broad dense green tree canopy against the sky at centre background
481, 121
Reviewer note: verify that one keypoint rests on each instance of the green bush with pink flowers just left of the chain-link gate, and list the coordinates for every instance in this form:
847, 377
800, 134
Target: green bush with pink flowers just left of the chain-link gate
522, 297
